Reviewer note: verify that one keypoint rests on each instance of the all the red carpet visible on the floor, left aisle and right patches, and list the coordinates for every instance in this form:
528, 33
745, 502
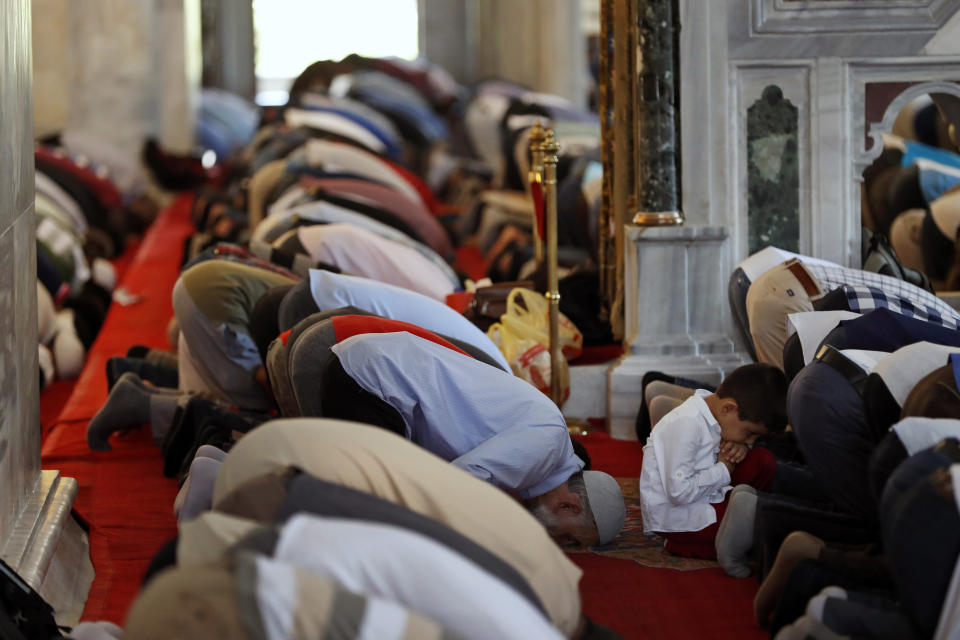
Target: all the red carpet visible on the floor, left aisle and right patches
127, 502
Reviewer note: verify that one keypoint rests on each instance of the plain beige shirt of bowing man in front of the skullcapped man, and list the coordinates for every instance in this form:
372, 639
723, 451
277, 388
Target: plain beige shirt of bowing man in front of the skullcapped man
375, 461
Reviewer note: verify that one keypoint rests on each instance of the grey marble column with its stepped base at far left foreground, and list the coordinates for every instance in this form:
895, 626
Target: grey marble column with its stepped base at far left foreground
39, 538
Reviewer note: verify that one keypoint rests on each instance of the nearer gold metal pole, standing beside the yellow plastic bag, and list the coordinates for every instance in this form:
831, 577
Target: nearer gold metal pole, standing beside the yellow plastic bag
549, 147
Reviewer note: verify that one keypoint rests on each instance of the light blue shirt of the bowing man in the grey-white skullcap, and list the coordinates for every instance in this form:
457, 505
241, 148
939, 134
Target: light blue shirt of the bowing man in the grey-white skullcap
489, 423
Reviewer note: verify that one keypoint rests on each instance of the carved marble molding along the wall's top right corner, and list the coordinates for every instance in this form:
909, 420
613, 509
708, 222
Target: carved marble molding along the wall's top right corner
820, 16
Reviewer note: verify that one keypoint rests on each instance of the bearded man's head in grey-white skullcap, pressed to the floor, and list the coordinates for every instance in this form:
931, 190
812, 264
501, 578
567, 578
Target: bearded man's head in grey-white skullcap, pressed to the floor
586, 510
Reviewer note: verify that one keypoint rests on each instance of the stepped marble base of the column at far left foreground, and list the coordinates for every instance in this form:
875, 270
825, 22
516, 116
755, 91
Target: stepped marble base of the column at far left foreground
50, 550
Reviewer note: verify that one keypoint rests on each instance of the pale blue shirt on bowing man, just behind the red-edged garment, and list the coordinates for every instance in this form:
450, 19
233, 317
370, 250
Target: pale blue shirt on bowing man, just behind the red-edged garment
335, 290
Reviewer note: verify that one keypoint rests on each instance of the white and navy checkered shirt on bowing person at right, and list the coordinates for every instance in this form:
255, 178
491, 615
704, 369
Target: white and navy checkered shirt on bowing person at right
867, 291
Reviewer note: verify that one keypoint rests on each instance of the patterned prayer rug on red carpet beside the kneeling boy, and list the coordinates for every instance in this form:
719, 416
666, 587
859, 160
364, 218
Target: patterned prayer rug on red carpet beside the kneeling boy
634, 544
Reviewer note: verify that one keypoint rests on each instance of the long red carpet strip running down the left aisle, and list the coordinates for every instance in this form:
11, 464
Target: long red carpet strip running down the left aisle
123, 495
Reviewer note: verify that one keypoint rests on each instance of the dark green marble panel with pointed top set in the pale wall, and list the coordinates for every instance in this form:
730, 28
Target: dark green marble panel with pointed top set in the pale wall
773, 172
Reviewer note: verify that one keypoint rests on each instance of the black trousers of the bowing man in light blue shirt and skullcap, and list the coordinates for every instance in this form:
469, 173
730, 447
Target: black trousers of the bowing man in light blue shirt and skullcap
343, 398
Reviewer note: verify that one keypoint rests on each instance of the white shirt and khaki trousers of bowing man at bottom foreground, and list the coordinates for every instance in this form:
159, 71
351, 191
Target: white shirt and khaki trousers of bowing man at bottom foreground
427, 577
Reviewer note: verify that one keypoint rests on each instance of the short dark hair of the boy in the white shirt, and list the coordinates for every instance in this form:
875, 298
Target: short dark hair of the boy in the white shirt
760, 391
